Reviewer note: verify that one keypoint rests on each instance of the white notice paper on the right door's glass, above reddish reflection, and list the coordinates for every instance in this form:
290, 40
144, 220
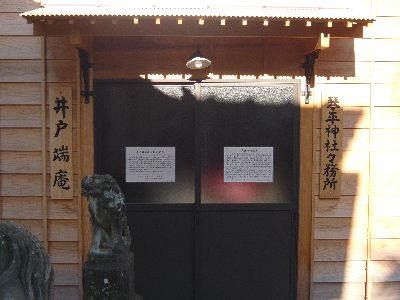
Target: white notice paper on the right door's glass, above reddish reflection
248, 164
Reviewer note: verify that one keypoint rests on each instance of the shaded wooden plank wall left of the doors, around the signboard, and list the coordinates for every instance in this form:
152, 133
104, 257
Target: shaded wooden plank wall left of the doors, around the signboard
24, 135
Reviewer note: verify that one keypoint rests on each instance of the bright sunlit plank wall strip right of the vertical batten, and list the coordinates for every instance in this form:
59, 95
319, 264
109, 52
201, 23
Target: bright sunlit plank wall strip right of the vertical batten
384, 264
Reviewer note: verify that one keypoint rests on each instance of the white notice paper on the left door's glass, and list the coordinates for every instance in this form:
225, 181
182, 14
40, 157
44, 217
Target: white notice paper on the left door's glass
150, 164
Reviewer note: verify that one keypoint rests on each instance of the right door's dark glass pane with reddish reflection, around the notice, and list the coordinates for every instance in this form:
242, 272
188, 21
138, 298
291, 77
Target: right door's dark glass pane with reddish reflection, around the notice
247, 116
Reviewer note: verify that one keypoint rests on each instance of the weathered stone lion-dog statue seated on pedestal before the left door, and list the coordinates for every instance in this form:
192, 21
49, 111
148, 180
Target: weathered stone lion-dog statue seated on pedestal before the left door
110, 232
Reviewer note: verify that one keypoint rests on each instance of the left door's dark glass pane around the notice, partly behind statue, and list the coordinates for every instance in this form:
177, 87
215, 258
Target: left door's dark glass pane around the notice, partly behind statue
144, 115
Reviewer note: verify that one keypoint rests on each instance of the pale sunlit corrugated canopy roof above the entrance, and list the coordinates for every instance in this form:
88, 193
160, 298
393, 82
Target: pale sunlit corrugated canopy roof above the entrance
307, 13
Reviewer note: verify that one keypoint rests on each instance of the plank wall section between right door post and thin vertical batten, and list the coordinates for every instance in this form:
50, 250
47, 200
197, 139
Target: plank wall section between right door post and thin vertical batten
341, 225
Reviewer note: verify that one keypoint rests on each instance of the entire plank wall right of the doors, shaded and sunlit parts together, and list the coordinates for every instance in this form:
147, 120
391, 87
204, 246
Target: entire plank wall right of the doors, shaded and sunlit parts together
357, 238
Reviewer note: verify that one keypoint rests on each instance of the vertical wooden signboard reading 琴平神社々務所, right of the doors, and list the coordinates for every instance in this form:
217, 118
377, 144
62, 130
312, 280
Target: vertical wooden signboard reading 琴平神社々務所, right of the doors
331, 147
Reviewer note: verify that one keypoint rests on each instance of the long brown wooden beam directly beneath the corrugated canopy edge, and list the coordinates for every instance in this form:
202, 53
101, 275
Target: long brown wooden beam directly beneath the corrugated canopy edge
235, 27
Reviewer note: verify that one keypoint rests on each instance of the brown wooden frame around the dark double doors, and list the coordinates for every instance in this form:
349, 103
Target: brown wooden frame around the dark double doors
305, 215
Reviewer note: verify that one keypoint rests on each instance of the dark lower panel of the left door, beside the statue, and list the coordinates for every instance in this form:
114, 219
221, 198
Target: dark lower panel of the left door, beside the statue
163, 249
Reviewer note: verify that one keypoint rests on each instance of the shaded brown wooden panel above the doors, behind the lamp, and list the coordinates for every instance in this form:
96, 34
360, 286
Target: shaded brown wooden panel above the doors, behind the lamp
127, 58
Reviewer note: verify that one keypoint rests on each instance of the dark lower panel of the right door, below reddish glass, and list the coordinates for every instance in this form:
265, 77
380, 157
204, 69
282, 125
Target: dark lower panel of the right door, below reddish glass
245, 254
